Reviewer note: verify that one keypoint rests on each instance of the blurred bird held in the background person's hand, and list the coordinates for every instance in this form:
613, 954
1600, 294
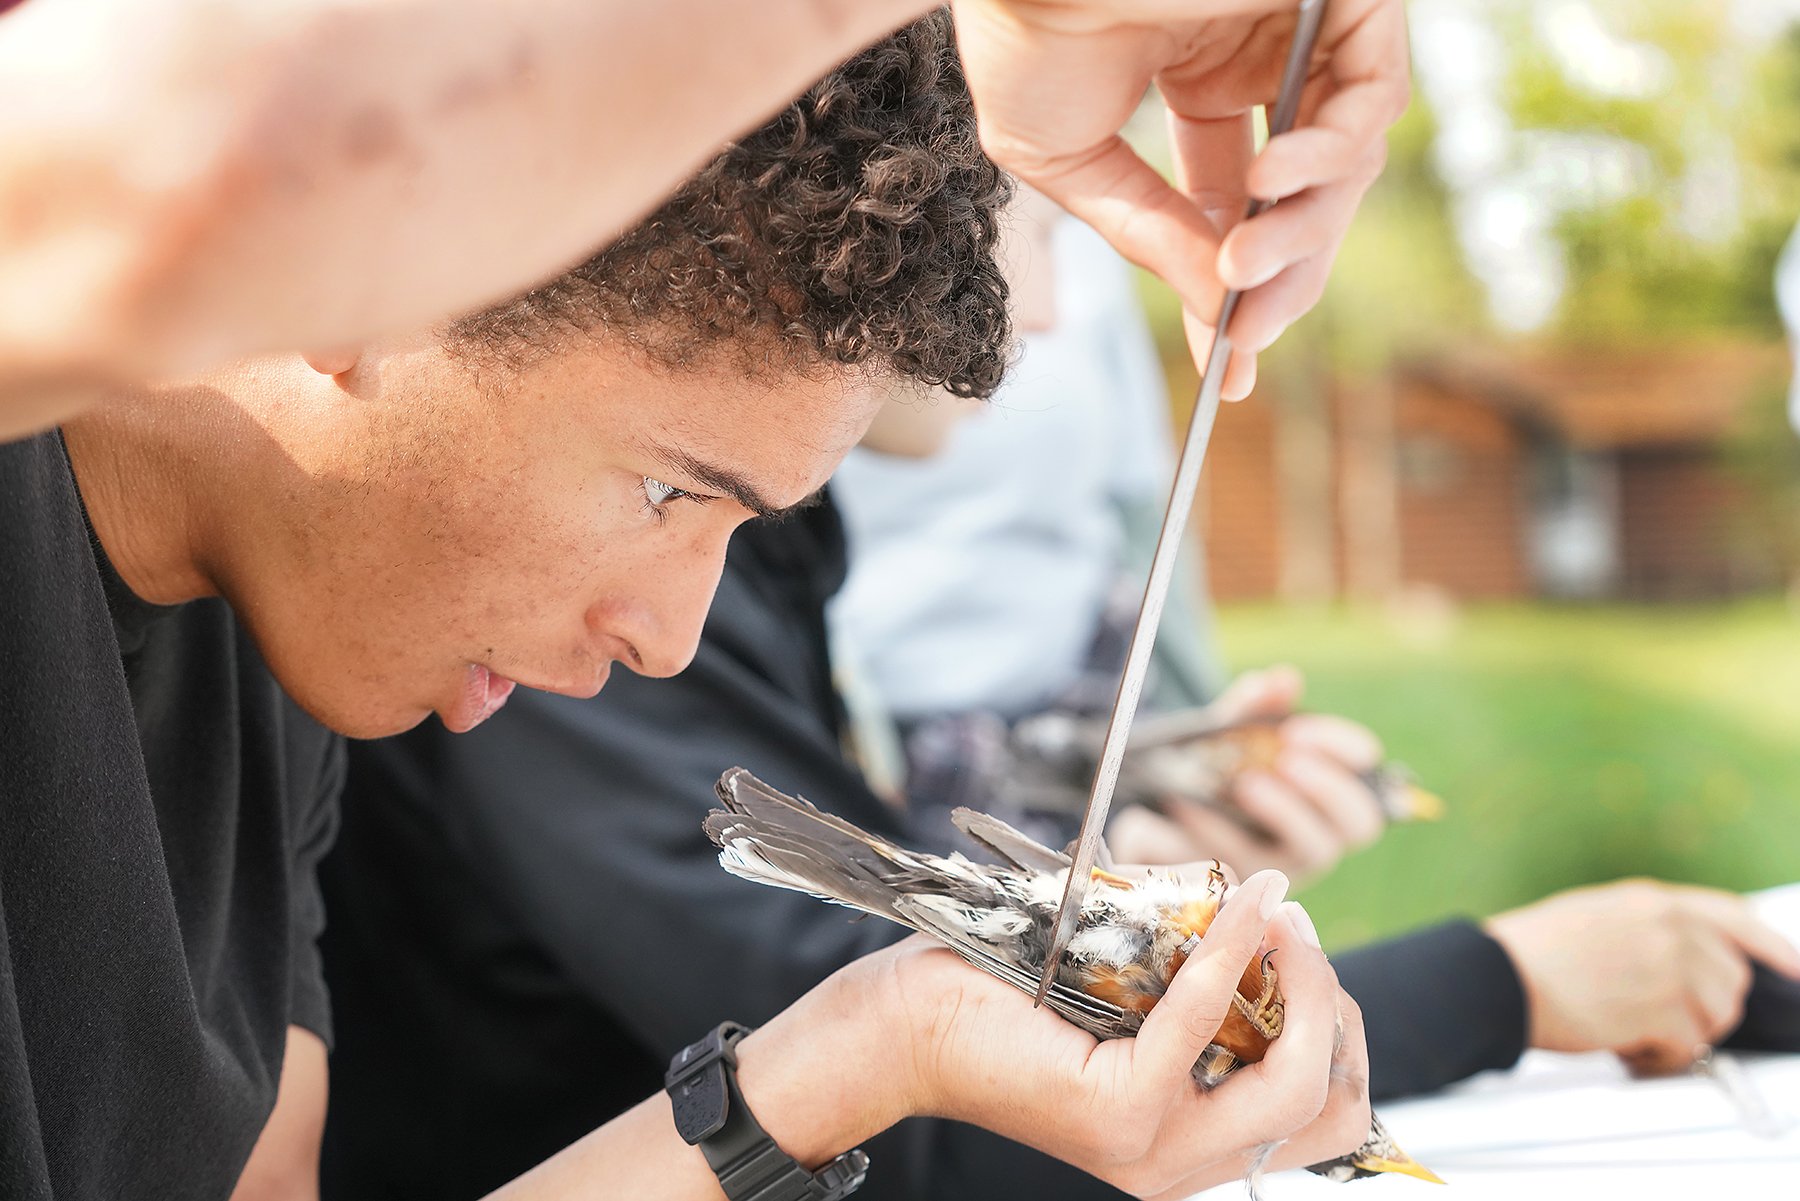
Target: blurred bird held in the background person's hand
1178, 757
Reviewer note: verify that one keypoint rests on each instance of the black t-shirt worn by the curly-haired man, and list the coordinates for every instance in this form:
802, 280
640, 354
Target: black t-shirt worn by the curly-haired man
163, 808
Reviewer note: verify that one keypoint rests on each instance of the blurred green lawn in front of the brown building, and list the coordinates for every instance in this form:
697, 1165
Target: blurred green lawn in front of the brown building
1572, 745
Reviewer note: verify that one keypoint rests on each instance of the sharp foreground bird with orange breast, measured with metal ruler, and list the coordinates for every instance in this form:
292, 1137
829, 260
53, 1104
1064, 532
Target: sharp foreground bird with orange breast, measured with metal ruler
1131, 939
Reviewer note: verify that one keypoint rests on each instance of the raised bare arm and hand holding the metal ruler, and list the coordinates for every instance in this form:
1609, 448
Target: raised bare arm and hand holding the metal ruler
190, 183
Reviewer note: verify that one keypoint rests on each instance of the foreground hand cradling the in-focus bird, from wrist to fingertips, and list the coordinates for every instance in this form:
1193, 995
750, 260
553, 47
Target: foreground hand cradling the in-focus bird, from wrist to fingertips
1129, 1110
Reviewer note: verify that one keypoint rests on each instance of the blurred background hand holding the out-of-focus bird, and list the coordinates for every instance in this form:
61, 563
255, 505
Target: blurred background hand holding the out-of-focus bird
1313, 808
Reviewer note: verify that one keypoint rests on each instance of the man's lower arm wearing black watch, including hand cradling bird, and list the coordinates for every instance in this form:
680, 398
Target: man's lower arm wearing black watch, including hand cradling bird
913, 1031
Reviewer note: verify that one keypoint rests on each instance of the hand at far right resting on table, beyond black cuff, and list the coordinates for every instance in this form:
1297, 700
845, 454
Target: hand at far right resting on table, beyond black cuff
1641, 968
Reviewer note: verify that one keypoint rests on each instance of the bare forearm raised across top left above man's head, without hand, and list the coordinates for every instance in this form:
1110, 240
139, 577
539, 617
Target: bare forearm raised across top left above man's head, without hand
193, 181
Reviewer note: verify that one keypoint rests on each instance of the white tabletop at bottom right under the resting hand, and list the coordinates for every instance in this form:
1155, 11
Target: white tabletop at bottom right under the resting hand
1578, 1128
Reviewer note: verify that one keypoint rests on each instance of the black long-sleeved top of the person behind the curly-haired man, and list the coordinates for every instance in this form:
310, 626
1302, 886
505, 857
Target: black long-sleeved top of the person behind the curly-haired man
526, 921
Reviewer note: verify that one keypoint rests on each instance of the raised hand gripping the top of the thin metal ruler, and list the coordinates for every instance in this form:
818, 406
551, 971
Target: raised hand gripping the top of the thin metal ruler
1057, 80
